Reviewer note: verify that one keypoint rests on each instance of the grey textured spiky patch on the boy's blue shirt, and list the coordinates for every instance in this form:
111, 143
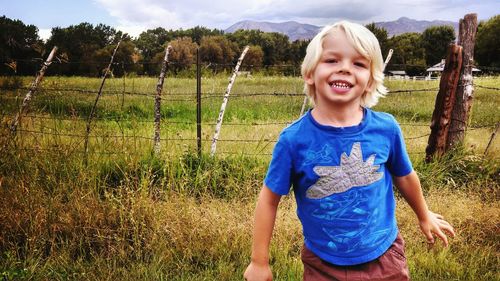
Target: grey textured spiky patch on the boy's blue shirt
351, 172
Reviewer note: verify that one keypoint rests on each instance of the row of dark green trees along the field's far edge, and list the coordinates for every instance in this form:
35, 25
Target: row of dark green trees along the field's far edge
85, 49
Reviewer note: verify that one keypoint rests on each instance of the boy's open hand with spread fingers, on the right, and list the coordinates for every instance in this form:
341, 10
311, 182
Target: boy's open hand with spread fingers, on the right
435, 224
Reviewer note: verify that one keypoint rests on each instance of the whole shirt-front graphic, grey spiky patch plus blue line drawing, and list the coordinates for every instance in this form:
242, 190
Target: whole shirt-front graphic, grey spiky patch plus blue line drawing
344, 217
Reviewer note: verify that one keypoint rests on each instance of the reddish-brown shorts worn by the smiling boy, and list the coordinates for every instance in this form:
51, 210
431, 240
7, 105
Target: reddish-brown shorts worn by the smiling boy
390, 266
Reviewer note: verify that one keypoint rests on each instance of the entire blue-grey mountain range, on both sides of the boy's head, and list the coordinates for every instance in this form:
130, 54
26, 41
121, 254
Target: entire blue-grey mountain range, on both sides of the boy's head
296, 30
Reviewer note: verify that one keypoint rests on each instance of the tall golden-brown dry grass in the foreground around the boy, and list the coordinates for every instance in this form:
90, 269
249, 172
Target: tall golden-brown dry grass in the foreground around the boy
79, 225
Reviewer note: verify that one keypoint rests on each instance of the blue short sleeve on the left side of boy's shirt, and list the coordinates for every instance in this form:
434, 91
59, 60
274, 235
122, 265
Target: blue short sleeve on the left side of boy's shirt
279, 174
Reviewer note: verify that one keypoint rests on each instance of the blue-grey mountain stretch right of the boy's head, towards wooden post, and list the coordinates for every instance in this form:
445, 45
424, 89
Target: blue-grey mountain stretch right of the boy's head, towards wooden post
404, 24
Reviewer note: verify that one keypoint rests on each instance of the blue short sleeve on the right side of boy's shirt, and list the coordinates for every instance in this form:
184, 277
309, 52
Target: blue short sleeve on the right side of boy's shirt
399, 163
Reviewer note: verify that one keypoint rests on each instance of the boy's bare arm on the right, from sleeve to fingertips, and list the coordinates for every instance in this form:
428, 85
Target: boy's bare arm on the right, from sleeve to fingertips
430, 223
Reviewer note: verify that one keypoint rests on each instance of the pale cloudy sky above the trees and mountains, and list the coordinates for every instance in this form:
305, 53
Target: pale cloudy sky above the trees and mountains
135, 16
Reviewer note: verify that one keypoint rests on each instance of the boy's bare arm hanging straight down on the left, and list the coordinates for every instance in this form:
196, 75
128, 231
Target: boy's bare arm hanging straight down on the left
264, 218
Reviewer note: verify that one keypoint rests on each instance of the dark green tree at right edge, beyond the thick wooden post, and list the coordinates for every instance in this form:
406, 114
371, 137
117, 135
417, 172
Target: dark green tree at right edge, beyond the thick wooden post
487, 48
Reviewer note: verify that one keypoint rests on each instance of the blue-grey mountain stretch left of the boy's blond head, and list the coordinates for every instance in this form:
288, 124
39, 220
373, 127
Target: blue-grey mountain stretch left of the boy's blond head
293, 29
